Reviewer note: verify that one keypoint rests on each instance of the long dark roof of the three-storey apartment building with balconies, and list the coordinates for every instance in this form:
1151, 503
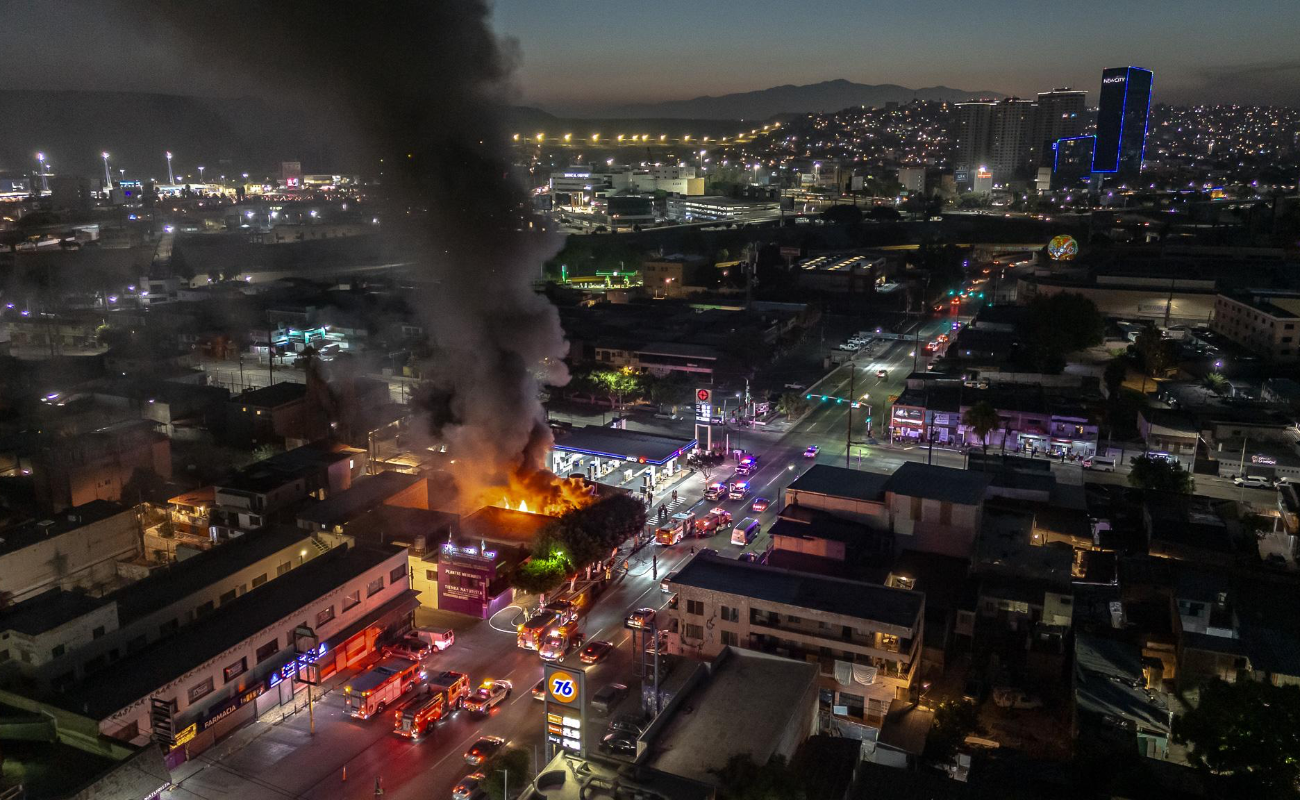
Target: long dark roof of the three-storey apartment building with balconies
803, 590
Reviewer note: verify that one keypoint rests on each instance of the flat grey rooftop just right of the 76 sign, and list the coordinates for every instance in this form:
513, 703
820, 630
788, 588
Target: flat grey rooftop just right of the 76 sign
726, 717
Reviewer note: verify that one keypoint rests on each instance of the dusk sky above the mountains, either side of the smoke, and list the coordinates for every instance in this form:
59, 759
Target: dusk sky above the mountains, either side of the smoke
583, 54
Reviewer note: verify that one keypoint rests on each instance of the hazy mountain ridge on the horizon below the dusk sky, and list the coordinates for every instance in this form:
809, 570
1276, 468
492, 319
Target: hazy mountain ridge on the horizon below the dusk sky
766, 103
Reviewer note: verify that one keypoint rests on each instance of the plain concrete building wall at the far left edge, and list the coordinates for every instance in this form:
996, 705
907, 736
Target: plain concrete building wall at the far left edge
84, 556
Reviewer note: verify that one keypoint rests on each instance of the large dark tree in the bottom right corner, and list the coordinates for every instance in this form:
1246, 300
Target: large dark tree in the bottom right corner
1249, 733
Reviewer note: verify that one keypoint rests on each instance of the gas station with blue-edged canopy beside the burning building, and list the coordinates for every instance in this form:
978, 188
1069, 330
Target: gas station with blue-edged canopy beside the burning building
618, 456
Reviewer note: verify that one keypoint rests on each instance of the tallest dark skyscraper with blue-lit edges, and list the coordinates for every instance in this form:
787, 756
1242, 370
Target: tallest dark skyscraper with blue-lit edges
1123, 122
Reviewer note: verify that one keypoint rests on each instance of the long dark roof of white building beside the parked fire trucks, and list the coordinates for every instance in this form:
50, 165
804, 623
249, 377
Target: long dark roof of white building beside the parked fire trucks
233, 622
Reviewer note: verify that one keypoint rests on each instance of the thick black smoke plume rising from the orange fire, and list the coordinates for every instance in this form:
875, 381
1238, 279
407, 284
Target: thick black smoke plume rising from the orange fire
419, 85
